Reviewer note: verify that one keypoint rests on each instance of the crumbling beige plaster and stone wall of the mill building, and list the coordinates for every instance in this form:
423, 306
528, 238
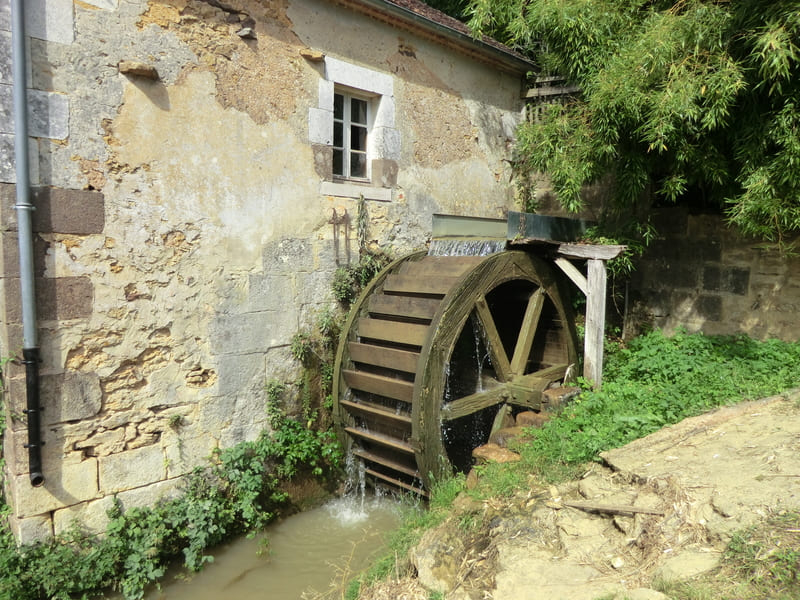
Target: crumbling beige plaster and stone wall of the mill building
182, 237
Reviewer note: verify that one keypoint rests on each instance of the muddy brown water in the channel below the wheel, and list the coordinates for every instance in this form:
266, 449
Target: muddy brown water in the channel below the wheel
306, 554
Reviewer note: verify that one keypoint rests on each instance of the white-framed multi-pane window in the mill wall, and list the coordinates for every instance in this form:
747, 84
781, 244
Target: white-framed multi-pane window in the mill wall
350, 130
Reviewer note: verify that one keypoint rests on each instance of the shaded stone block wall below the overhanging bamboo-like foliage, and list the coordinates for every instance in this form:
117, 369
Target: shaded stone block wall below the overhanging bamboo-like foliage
701, 275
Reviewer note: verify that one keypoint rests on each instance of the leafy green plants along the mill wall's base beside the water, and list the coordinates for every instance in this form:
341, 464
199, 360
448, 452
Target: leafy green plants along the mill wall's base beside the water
240, 491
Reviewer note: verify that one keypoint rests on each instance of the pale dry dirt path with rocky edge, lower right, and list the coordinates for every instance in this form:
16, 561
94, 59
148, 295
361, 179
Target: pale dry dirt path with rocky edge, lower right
688, 487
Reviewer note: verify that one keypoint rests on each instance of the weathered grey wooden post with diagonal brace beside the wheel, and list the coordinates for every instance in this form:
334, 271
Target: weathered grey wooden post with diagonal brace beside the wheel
594, 286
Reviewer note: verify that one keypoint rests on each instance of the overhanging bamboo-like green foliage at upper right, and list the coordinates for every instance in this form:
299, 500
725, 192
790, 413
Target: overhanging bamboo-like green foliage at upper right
696, 100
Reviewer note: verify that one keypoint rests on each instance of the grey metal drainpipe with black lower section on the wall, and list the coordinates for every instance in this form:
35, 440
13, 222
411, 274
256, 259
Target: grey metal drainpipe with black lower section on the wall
24, 208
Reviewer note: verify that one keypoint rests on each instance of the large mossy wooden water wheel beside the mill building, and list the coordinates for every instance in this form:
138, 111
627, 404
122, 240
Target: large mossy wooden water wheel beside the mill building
434, 347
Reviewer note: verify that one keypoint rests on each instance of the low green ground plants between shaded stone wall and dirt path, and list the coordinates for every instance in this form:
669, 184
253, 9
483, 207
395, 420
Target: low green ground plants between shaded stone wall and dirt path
657, 381
